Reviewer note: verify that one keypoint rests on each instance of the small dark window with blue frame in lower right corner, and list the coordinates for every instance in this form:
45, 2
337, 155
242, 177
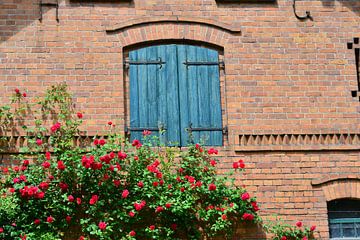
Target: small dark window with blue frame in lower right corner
344, 219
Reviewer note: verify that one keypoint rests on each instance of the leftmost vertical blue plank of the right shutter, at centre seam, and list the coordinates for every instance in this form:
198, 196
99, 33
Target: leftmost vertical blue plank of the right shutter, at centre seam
183, 94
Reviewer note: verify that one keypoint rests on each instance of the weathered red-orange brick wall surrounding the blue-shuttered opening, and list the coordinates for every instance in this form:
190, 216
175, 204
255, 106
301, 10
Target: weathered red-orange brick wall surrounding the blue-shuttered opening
282, 77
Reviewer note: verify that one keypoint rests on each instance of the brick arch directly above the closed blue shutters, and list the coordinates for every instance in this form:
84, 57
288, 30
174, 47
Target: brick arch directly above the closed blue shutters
172, 31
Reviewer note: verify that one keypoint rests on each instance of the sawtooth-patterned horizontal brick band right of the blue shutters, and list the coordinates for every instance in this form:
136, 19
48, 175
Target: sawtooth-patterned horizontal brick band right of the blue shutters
297, 142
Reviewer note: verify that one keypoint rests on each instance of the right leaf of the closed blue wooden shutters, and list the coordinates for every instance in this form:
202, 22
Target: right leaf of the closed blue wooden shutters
199, 87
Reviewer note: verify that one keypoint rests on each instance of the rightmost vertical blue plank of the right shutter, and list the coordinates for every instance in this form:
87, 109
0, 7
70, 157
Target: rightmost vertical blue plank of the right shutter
215, 100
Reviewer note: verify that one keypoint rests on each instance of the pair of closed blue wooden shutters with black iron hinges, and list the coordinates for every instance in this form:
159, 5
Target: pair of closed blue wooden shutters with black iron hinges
175, 92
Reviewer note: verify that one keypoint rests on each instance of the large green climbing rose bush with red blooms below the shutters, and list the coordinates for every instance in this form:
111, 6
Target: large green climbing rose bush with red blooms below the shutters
113, 188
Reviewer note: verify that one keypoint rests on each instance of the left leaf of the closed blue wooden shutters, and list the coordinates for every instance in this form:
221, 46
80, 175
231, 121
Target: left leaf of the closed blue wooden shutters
154, 100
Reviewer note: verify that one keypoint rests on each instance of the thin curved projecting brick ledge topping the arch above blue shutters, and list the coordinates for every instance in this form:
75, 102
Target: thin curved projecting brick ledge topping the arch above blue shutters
173, 19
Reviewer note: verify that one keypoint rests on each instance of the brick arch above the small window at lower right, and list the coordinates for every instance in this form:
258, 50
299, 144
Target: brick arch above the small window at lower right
337, 189
